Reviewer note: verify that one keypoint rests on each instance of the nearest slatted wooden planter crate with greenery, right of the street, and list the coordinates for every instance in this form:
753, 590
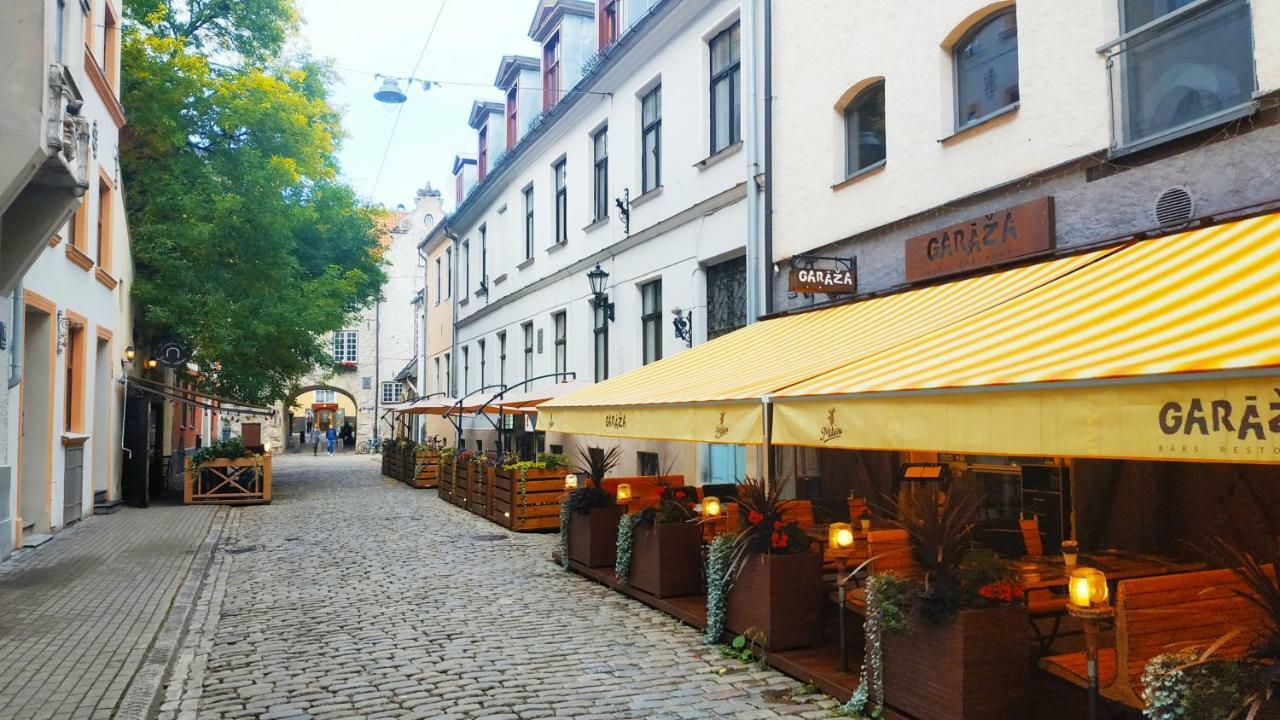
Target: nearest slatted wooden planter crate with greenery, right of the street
527, 494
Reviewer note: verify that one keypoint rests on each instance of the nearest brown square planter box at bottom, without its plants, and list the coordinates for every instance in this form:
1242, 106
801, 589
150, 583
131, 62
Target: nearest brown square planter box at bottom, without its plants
973, 667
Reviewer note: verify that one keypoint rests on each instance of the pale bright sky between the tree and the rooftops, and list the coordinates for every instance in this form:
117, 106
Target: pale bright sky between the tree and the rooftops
386, 37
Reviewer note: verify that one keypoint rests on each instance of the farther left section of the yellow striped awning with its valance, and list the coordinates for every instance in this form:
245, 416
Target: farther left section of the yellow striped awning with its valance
712, 393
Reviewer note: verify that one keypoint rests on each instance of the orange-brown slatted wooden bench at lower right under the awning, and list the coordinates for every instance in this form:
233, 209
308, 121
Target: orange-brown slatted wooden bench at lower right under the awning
1160, 616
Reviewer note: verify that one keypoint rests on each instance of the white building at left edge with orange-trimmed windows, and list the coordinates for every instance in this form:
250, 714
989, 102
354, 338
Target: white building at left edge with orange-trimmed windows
66, 266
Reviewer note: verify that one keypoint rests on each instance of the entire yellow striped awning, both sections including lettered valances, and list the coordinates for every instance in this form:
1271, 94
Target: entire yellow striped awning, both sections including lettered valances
1165, 349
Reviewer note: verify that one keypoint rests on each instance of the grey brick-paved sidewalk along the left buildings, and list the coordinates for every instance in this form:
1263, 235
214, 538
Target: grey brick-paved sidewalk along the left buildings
80, 616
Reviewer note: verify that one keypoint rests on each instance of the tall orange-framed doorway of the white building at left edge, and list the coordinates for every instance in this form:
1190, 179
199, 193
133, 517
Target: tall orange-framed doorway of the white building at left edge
36, 417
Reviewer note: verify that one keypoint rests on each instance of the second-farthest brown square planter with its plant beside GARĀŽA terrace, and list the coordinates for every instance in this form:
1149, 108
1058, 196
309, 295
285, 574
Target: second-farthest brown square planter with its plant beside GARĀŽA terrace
660, 549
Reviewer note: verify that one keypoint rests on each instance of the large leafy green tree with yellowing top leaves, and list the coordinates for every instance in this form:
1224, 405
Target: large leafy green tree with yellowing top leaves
248, 248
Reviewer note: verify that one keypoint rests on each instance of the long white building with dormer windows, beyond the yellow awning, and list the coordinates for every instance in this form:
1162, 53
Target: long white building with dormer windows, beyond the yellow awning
633, 161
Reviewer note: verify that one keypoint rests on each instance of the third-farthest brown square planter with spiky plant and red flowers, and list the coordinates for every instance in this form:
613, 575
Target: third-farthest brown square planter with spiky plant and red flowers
766, 578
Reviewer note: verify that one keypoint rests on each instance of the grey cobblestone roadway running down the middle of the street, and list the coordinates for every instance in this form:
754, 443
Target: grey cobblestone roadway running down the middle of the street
355, 596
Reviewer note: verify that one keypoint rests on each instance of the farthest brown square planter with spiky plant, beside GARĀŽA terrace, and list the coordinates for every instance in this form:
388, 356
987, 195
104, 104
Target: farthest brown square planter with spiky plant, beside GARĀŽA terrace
592, 514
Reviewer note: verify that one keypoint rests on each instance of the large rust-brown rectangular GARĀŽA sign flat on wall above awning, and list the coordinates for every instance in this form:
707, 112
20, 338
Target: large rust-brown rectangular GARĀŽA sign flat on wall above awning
988, 240
